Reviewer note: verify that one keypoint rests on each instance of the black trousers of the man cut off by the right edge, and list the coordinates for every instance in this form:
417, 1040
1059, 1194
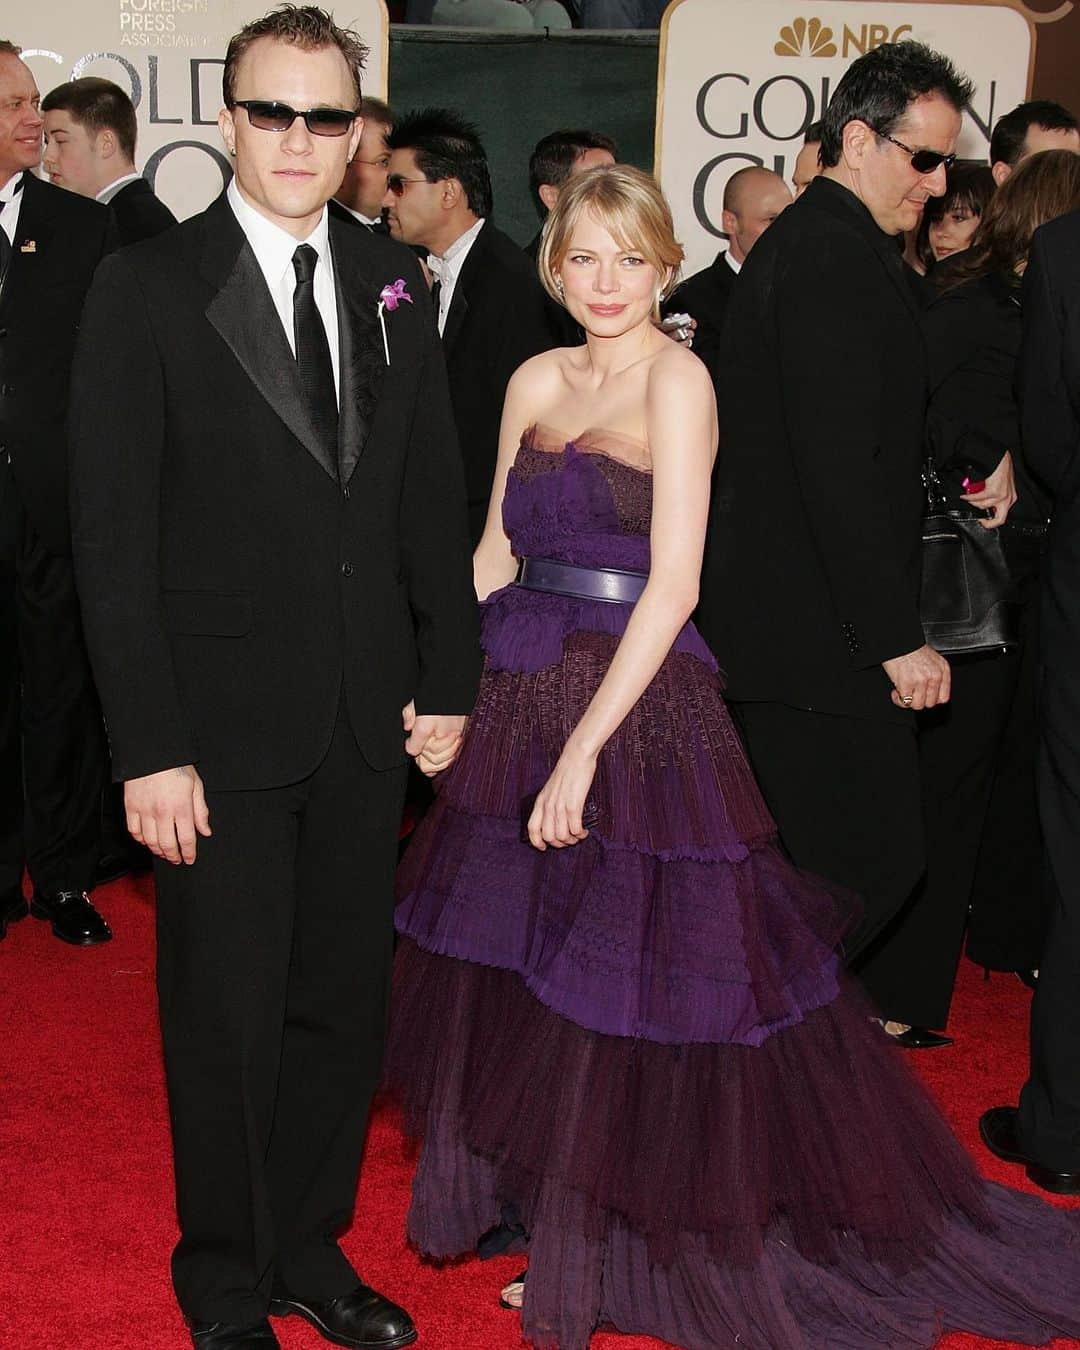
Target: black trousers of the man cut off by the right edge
1050, 1113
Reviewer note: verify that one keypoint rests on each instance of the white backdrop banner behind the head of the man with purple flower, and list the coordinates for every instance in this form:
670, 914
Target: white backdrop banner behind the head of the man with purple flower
168, 55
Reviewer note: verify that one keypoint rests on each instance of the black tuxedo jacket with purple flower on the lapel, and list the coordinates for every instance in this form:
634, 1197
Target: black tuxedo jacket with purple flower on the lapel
237, 576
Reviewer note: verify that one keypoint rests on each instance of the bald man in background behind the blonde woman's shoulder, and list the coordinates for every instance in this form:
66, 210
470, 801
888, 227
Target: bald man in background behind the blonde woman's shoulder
753, 200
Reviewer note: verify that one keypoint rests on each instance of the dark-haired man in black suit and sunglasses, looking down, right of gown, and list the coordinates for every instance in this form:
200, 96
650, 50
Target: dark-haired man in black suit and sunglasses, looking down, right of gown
812, 577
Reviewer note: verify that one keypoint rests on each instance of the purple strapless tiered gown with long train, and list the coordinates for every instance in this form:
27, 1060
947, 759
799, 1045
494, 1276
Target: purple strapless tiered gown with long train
646, 1043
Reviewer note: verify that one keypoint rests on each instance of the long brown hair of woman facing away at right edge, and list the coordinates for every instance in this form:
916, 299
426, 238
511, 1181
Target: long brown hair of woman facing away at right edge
1039, 190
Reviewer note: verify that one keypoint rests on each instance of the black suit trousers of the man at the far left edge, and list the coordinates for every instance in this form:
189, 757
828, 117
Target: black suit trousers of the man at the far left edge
53, 758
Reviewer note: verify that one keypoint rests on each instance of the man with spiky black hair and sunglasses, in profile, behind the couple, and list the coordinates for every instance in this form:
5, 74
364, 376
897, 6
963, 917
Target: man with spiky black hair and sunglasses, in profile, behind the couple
489, 304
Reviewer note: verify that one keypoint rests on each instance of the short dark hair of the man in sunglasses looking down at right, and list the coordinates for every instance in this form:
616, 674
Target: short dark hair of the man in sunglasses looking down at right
880, 88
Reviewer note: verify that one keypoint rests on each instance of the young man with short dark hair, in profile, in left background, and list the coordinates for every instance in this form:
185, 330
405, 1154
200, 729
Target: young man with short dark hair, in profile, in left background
90, 149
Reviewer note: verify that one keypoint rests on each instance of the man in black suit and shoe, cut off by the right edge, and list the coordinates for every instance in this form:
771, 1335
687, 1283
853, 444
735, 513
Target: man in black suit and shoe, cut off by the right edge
1044, 1133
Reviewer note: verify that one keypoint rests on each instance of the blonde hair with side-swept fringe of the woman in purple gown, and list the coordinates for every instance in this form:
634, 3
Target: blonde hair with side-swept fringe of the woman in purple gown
630, 206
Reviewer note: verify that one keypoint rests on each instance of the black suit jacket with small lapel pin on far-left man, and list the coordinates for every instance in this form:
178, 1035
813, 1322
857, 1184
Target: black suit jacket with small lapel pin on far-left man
60, 241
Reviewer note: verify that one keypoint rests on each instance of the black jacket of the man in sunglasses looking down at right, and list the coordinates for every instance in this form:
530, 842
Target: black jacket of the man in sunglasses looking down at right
813, 560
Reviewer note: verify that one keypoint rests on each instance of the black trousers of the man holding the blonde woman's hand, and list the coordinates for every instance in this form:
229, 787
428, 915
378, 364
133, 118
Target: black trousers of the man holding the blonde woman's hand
275, 954
